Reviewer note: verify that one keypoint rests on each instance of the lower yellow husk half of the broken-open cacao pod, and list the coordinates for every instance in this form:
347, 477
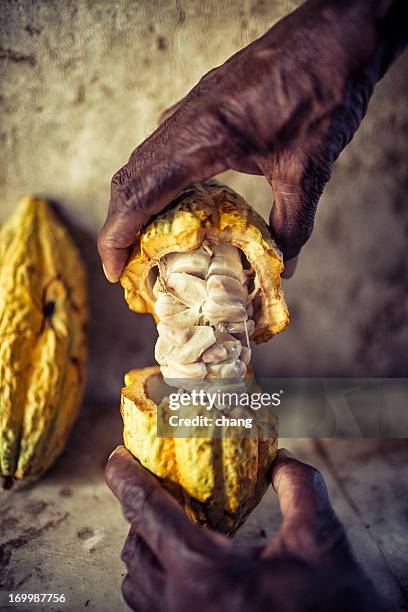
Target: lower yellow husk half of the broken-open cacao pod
217, 480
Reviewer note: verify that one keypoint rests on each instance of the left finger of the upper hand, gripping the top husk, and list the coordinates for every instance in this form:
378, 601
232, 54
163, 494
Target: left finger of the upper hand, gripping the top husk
184, 150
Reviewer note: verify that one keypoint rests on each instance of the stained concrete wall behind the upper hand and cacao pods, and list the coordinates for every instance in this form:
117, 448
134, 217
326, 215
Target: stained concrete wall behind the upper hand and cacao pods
83, 82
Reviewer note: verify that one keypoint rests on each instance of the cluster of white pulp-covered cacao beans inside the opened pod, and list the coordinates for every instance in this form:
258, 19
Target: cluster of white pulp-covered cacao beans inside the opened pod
205, 312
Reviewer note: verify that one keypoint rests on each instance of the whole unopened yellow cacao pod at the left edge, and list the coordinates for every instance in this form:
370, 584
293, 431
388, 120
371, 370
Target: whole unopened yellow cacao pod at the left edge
43, 350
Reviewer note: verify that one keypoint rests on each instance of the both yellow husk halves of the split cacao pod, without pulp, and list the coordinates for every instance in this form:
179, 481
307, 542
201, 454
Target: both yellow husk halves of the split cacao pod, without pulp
218, 481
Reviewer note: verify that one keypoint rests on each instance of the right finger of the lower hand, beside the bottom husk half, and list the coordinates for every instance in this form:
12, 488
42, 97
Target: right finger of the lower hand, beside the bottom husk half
310, 528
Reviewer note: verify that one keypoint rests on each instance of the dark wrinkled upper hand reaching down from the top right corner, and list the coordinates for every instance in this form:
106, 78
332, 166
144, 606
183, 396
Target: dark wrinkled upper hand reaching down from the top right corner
285, 106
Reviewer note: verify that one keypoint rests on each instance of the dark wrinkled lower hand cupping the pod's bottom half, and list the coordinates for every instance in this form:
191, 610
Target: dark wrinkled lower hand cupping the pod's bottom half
175, 566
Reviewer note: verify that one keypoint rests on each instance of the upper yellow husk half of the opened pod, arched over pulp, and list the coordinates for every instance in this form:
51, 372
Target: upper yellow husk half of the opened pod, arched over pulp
215, 213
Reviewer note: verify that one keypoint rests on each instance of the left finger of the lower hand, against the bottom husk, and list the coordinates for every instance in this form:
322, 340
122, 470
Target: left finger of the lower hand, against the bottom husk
157, 517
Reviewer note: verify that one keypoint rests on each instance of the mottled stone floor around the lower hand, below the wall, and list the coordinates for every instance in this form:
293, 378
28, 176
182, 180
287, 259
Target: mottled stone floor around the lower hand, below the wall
65, 533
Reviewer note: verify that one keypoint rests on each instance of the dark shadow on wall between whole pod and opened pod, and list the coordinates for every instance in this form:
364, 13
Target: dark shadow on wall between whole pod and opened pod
119, 339
